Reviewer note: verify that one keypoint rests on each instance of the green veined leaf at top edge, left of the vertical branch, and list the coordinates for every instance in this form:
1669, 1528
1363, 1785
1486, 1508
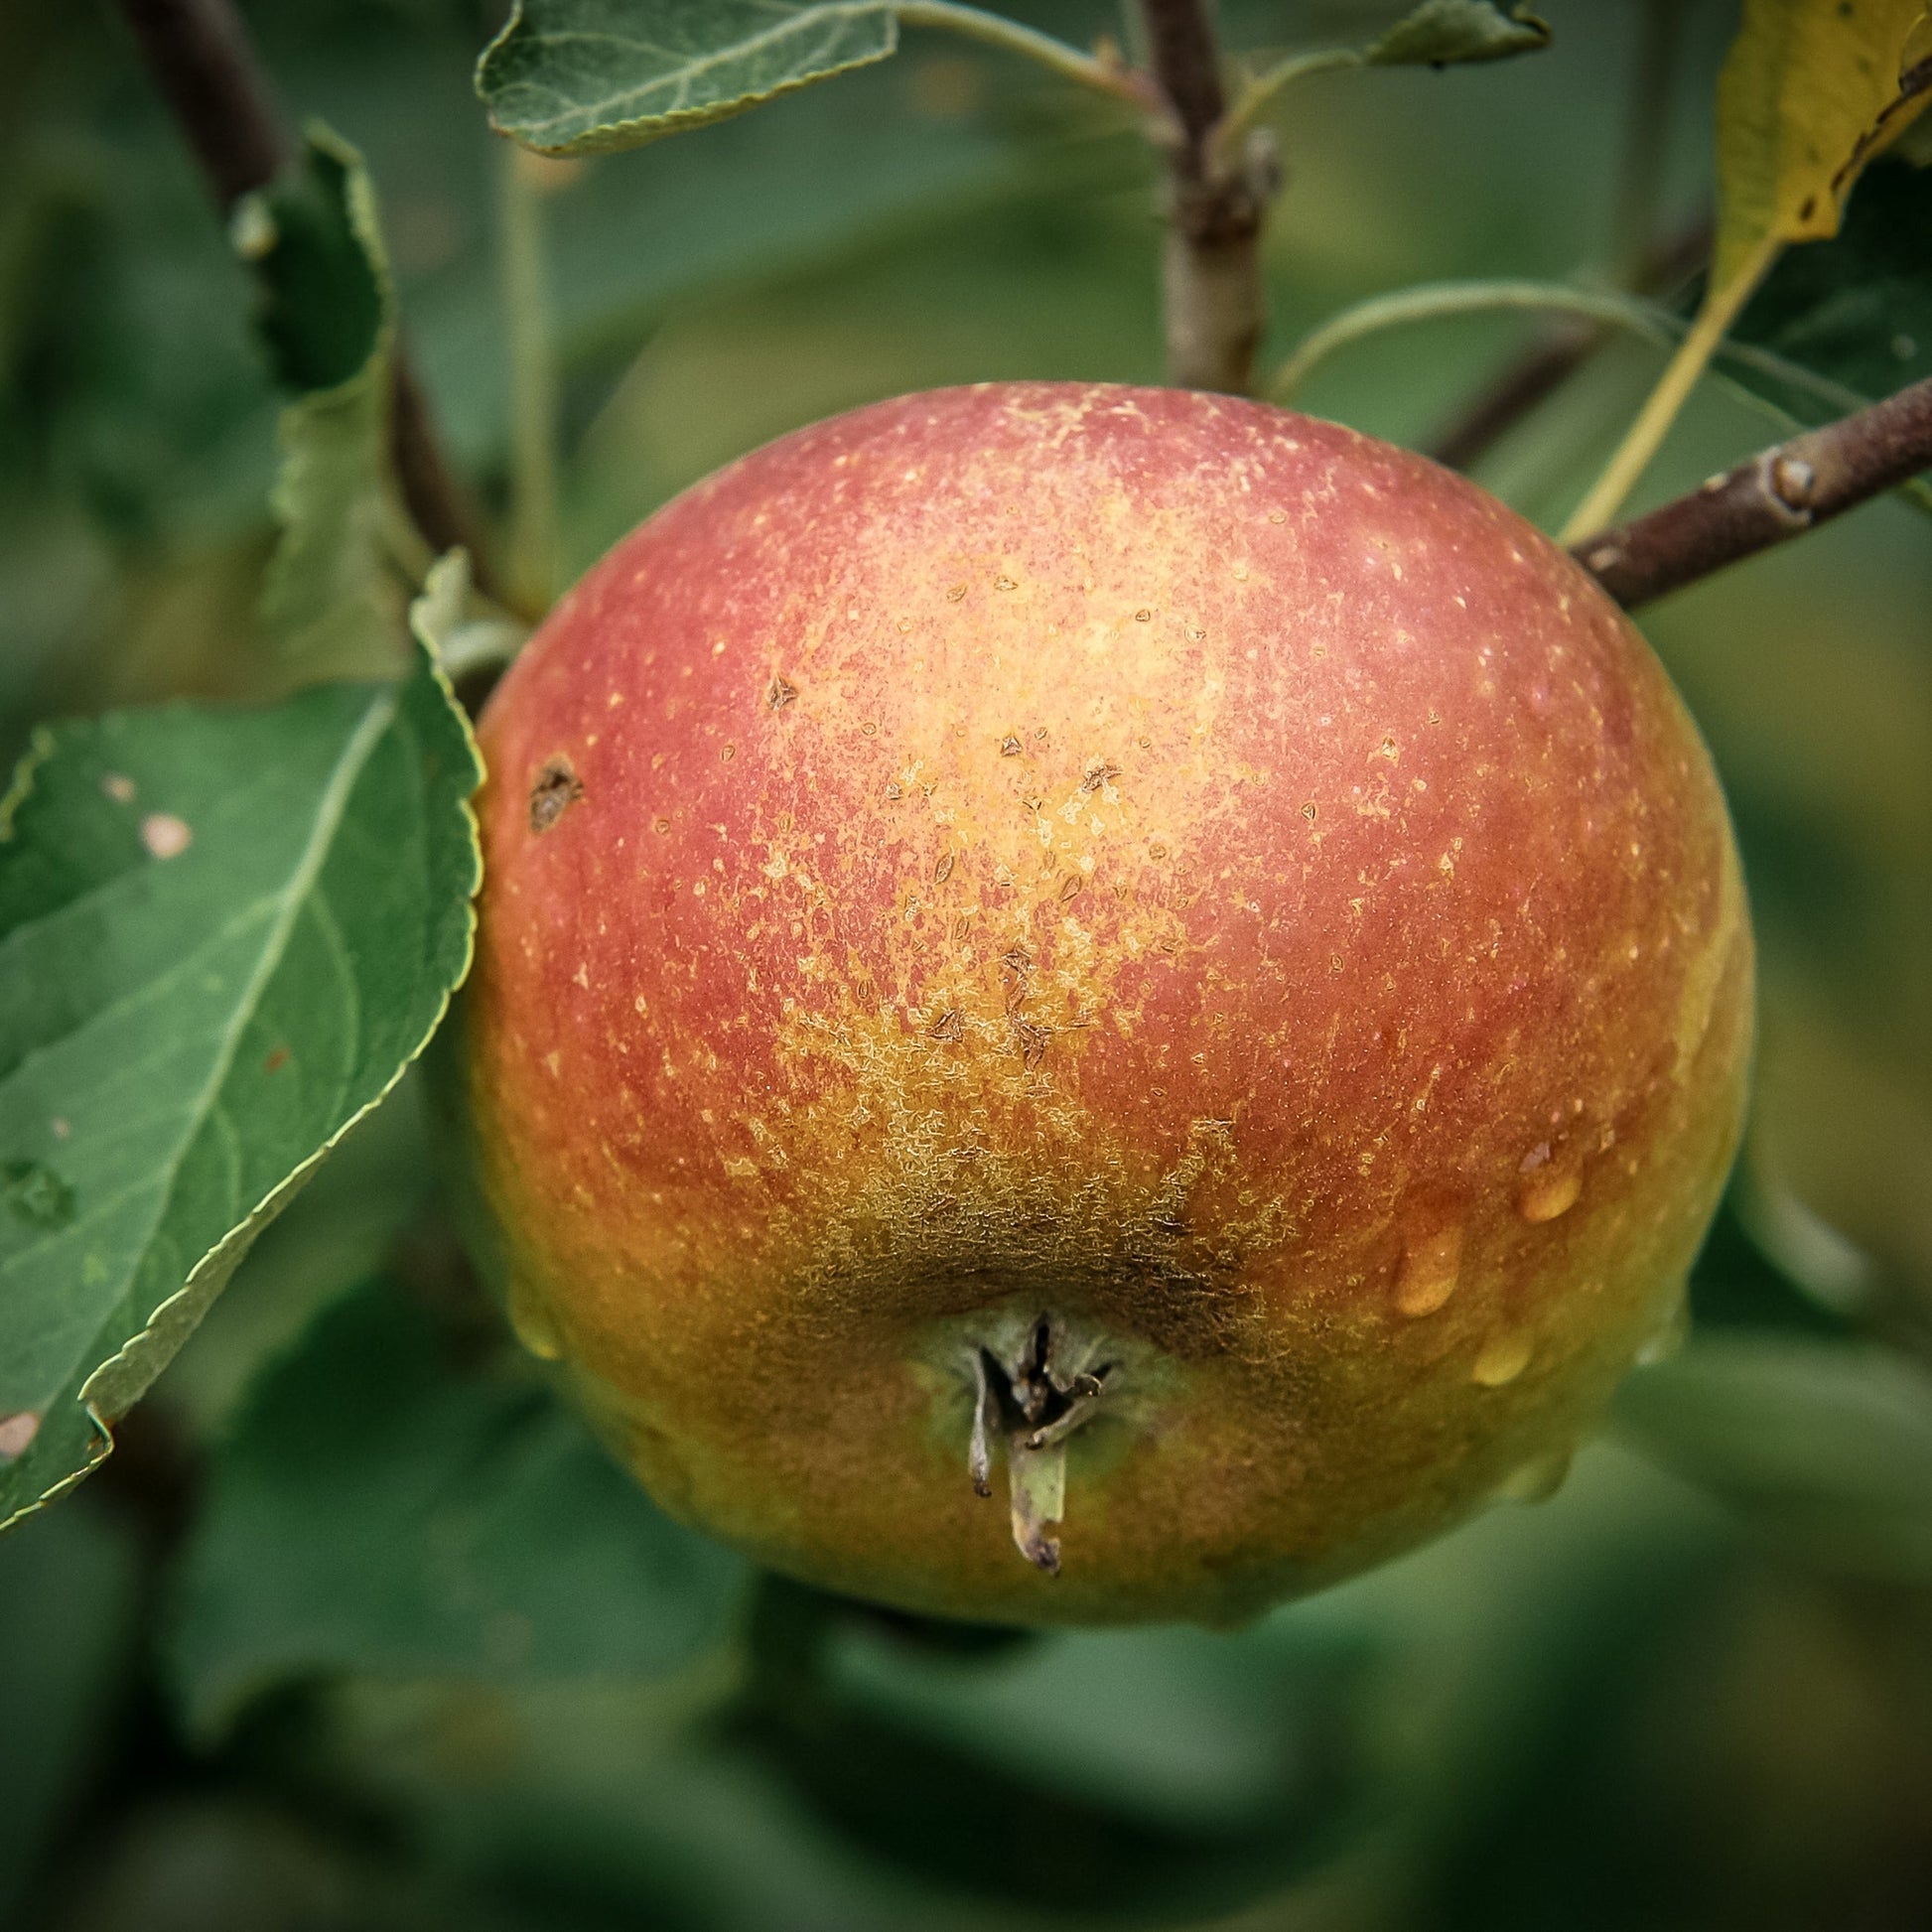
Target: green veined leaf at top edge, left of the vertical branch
588, 76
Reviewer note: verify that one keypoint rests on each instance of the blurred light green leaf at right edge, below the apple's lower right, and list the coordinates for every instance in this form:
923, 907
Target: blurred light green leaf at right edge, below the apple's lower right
1823, 1446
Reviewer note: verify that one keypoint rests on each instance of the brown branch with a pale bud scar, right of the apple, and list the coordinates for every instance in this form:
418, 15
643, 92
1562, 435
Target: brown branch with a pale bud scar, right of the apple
1769, 499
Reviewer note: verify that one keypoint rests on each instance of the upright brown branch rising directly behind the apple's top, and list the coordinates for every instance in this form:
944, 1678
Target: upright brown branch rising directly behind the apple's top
1212, 271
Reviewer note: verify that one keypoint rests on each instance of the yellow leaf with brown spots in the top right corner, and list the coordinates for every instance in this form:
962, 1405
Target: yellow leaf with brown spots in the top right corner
1809, 92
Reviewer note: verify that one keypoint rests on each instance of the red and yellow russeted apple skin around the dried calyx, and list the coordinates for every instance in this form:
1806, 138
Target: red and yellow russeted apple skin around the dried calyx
1123, 855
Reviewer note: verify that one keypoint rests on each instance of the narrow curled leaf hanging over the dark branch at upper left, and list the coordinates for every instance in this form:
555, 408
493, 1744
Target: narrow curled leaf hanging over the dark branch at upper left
329, 324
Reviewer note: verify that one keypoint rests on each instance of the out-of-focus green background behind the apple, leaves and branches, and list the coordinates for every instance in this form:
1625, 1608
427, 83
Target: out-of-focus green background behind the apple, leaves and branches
1630, 1707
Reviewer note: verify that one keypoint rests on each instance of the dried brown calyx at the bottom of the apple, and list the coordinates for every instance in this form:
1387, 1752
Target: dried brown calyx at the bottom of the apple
1033, 1398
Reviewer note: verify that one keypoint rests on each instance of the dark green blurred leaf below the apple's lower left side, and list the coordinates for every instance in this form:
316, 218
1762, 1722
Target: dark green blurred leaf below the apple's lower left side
380, 1512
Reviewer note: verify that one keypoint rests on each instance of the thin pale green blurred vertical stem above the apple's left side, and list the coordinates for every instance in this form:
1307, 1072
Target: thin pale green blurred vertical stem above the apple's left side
526, 326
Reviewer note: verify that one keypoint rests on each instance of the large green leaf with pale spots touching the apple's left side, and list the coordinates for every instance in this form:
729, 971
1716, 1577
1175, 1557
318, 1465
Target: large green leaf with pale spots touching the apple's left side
223, 936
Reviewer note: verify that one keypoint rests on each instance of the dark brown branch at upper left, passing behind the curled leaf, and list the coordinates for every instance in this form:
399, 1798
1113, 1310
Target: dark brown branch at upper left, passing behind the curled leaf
206, 69
